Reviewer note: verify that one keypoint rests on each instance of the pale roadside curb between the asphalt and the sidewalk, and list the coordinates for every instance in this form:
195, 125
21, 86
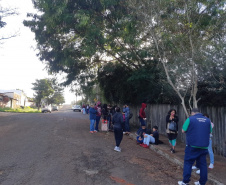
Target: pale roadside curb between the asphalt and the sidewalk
177, 161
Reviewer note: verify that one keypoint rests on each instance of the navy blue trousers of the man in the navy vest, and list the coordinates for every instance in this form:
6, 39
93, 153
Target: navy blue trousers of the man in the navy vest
191, 155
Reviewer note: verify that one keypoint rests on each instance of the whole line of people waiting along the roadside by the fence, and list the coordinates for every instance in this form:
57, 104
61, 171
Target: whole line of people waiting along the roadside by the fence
198, 129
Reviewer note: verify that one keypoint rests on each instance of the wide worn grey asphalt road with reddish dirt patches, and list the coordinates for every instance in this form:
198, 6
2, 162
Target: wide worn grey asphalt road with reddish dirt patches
57, 149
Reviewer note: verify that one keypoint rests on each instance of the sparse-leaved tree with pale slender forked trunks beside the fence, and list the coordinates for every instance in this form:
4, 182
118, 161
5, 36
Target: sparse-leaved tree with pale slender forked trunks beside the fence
183, 33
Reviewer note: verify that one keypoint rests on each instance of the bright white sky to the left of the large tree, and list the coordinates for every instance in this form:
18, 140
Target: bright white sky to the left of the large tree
19, 65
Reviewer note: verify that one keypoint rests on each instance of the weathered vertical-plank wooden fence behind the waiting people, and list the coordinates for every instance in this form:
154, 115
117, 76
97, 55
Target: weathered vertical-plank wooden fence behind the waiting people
156, 115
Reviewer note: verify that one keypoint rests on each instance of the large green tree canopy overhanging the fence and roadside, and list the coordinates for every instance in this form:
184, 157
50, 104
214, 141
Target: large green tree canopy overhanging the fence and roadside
125, 45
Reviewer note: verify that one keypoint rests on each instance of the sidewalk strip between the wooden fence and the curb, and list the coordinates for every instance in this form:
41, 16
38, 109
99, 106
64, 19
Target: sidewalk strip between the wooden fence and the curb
215, 176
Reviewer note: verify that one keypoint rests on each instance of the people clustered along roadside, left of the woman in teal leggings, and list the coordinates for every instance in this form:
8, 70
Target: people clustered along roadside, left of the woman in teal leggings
118, 121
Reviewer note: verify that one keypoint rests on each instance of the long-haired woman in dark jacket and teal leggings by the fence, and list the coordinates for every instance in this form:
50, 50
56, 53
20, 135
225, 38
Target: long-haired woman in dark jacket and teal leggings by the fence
172, 135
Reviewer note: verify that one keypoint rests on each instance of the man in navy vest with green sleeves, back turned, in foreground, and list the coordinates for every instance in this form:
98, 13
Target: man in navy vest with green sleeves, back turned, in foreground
197, 128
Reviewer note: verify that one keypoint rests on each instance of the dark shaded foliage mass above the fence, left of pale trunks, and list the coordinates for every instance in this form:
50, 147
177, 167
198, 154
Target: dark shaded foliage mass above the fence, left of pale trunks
146, 84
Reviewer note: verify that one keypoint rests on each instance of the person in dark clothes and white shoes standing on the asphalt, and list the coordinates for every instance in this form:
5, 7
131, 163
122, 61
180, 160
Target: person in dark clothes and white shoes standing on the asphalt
117, 121
